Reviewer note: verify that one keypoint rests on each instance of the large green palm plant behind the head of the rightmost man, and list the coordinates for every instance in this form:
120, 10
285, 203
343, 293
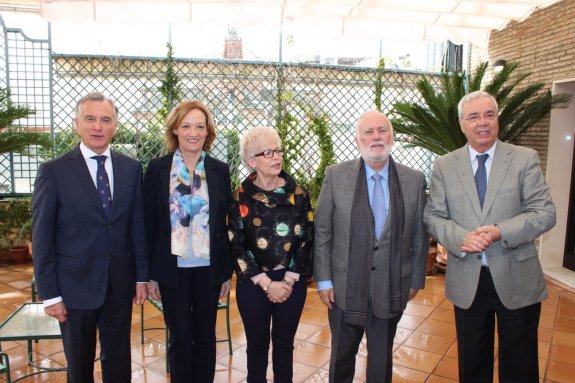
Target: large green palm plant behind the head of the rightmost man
434, 124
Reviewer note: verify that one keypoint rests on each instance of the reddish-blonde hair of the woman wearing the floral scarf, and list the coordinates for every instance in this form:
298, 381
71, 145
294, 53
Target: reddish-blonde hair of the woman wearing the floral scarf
176, 117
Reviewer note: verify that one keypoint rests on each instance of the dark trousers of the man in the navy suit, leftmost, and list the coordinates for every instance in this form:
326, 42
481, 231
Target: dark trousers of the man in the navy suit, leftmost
113, 322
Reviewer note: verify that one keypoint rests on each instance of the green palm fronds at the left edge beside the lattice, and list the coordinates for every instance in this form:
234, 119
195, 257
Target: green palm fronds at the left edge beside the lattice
11, 140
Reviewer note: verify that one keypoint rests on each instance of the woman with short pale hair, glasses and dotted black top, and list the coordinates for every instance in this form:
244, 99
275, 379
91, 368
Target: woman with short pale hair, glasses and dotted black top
271, 237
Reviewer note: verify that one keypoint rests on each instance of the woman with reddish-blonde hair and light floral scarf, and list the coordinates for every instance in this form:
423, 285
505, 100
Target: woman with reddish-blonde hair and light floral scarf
187, 196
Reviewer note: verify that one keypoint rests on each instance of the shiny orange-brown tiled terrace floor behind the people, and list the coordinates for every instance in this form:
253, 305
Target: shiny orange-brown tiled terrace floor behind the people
425, 348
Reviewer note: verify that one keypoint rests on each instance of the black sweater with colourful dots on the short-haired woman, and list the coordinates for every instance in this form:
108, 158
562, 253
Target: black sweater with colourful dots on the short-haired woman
271, 228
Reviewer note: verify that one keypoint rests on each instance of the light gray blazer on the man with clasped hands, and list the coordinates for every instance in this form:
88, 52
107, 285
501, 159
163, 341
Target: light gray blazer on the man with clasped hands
517, 200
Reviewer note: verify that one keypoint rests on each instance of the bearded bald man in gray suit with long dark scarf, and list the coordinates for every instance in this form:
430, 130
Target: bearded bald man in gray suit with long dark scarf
370, 249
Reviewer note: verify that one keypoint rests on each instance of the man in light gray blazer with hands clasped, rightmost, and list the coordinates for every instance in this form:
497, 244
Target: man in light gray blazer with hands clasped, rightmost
488, 203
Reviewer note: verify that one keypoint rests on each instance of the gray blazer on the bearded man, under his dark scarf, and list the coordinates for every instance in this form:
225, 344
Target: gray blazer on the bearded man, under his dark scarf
332, 226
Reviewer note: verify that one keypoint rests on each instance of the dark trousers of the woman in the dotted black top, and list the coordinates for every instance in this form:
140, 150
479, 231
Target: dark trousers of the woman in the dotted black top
257, 313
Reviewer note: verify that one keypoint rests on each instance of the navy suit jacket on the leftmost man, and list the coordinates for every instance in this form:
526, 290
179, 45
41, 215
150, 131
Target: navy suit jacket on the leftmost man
77, 249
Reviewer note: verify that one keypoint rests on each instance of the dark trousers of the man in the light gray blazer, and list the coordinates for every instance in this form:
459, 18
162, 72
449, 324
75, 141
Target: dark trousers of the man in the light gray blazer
517, 329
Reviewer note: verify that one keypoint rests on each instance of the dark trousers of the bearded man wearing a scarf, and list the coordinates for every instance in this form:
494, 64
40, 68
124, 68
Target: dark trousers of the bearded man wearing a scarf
345, 341
